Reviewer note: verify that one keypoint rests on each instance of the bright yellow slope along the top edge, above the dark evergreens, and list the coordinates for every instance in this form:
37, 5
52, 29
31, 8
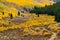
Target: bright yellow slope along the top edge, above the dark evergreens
31, 2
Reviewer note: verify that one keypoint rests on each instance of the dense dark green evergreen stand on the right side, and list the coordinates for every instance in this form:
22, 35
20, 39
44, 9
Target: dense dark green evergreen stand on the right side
50, 10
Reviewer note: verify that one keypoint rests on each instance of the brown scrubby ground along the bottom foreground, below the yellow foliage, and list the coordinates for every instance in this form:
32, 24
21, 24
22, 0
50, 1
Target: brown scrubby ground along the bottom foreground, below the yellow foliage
17, 34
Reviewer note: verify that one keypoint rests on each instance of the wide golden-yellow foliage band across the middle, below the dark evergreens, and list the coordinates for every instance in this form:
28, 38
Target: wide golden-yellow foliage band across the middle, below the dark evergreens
34, 25
